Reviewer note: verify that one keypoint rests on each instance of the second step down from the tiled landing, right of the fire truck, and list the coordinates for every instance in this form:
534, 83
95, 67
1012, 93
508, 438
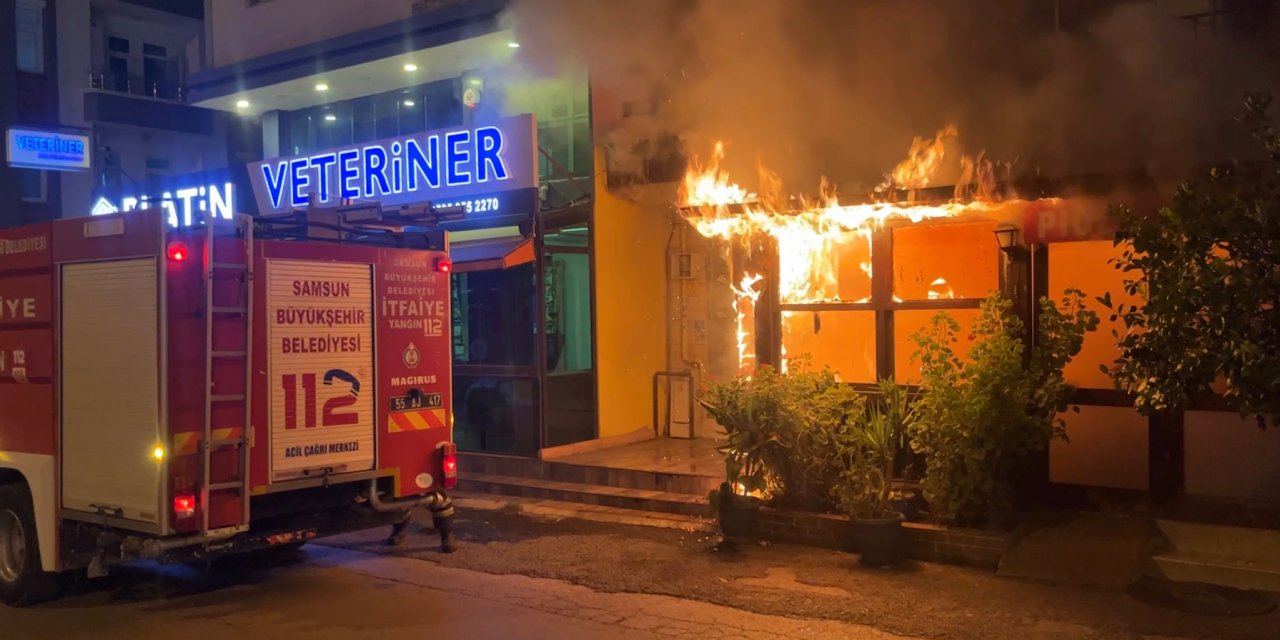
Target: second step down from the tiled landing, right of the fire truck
662, 502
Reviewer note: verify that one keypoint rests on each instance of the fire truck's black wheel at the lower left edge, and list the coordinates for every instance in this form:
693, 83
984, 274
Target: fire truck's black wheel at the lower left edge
22, 582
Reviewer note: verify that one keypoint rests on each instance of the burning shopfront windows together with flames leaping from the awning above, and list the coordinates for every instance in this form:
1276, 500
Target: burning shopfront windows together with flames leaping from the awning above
826, 299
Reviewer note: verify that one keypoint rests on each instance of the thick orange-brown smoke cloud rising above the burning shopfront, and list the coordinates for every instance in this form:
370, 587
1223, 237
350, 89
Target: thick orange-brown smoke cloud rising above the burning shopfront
840, 88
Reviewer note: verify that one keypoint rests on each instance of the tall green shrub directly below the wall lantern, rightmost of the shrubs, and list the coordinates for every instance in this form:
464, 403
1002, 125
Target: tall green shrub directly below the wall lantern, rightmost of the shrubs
980, 422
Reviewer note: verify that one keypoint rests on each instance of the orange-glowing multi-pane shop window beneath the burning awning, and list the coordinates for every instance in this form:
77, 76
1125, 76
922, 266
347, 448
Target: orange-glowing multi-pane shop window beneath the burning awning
828, 287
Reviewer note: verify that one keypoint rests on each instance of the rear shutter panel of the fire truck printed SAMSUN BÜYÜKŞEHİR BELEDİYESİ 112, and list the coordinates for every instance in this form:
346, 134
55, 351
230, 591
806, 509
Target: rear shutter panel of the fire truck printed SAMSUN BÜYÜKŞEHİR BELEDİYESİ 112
322, 368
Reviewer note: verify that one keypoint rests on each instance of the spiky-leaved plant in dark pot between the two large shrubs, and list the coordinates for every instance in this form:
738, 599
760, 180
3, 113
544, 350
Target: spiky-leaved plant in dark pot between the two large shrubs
867, 446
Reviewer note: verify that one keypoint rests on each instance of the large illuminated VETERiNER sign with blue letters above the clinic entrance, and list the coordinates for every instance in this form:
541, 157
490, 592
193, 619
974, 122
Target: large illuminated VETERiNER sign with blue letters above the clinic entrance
447, 166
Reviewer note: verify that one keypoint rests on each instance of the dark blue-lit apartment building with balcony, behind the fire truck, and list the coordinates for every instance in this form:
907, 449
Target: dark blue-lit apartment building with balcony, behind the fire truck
111, 76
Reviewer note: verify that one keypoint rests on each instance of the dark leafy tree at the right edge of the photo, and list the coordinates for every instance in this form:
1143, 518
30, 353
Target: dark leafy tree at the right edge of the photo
1206, 272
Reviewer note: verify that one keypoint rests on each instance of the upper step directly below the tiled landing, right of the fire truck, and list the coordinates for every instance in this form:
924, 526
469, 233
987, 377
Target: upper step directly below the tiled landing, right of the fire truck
691, 484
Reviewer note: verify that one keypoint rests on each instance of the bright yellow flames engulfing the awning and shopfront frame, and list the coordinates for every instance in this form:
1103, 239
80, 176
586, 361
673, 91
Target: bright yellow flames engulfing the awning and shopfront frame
812, 237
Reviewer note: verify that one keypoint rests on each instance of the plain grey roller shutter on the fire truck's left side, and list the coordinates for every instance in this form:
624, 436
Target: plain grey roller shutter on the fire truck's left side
111, 390
